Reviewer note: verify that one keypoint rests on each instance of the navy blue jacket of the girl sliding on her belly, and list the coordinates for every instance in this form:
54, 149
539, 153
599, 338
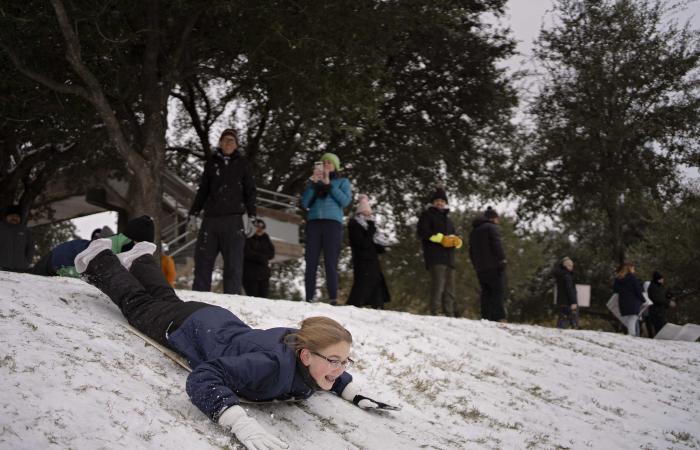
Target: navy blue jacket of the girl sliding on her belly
231, 360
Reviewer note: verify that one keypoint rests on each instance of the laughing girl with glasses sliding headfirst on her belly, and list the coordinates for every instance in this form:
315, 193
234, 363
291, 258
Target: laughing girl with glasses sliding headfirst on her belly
230, 361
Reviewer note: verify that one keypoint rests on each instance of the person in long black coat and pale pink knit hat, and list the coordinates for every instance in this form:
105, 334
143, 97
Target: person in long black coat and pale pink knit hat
369, 287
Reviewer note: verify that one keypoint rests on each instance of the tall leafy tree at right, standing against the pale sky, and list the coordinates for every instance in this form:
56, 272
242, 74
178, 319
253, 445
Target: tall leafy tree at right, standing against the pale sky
617, 113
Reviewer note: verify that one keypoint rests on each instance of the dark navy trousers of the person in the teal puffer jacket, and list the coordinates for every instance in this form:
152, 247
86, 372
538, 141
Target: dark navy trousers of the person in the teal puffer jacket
326, 235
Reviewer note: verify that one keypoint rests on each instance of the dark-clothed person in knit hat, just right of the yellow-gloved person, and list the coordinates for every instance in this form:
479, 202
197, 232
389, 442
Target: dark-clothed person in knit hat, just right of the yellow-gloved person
489, 261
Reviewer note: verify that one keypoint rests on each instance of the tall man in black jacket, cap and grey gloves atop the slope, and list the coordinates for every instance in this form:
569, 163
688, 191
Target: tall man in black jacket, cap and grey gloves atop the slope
226, 192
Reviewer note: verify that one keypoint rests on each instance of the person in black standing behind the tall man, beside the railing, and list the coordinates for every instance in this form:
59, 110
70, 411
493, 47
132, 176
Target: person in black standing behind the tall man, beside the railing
259, 251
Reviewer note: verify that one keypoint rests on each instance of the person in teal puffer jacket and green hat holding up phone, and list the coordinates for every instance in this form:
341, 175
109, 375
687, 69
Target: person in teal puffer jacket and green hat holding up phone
325, 197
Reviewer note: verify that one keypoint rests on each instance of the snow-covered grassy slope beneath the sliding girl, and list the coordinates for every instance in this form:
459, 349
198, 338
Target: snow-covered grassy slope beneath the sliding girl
74, 377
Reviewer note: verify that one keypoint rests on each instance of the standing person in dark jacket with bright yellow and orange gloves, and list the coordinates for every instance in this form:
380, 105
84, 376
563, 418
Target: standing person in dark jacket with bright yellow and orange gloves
437, 234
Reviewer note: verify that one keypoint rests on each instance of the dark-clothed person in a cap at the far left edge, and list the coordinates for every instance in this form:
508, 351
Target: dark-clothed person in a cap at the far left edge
16, 244
